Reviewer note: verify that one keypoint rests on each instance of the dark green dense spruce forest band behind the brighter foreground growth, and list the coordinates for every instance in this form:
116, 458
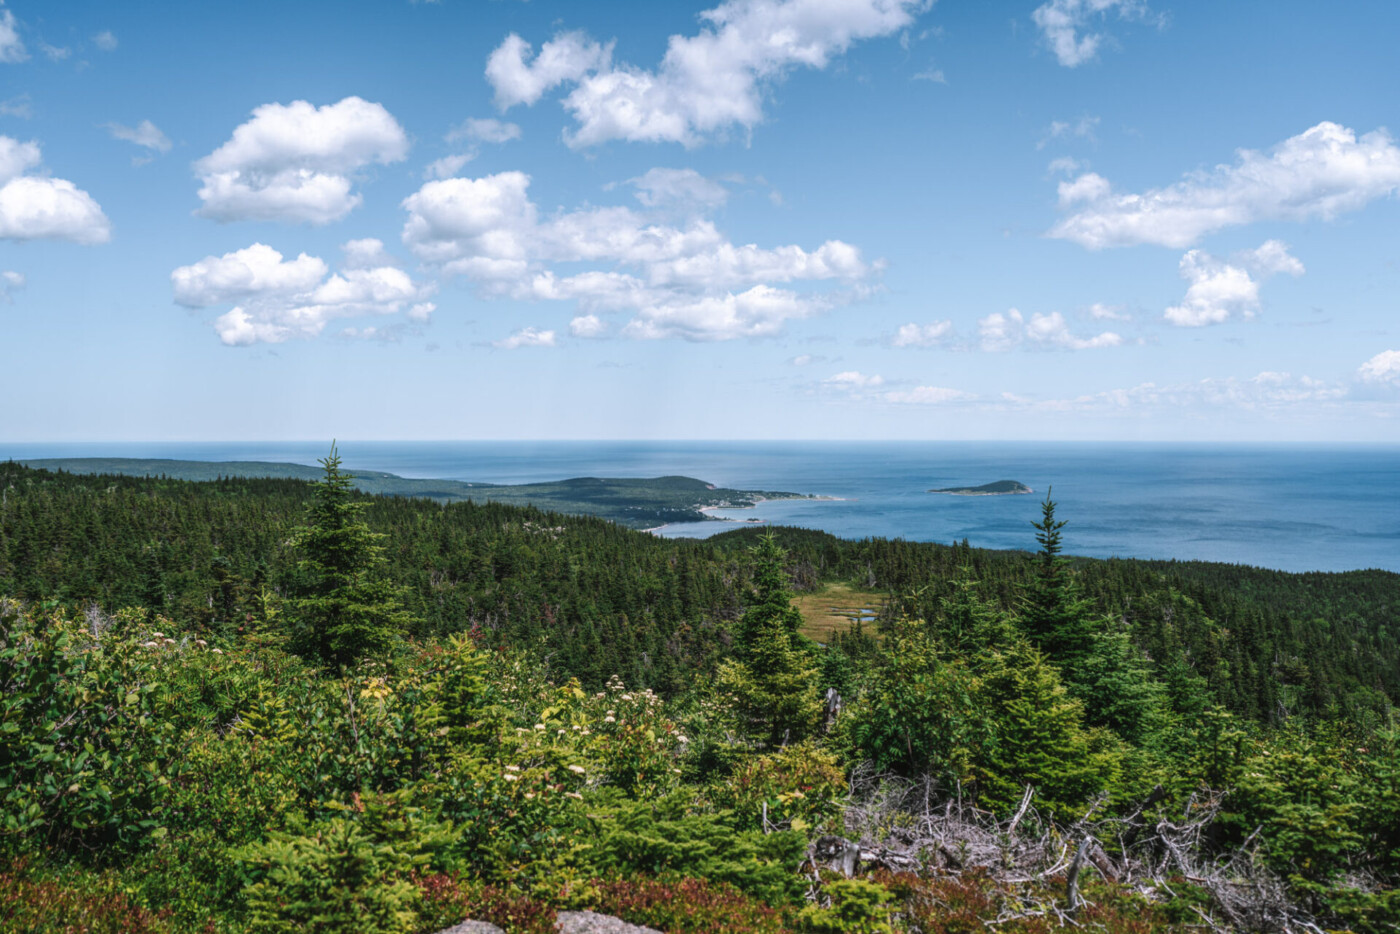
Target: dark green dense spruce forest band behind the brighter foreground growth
605, 600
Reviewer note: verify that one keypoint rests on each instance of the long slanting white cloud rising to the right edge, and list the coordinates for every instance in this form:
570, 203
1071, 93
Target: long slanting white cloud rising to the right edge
1318, 174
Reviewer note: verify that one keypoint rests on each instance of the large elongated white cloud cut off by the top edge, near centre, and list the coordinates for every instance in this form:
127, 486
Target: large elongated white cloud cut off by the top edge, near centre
706, 83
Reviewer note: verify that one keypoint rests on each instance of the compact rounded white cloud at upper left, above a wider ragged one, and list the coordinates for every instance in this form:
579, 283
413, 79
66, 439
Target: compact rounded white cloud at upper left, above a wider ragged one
297, 162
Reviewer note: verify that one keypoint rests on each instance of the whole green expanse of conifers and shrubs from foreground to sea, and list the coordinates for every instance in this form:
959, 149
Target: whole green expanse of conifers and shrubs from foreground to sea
268, 705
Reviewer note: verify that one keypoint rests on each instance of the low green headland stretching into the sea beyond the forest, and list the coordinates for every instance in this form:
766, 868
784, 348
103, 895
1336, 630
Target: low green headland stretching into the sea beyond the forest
632, 502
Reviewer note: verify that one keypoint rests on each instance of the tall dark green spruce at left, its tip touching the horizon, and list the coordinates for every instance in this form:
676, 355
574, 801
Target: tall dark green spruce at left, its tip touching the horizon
344, 608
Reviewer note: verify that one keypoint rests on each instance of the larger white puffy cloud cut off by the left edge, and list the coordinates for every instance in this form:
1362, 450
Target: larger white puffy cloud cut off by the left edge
44, 208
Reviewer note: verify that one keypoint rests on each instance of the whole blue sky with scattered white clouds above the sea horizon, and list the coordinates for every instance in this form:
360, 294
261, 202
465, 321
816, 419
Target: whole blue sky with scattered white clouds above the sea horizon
765, 219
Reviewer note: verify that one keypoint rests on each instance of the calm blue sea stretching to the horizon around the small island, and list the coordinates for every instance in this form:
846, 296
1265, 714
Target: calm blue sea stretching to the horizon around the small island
1290, 508
